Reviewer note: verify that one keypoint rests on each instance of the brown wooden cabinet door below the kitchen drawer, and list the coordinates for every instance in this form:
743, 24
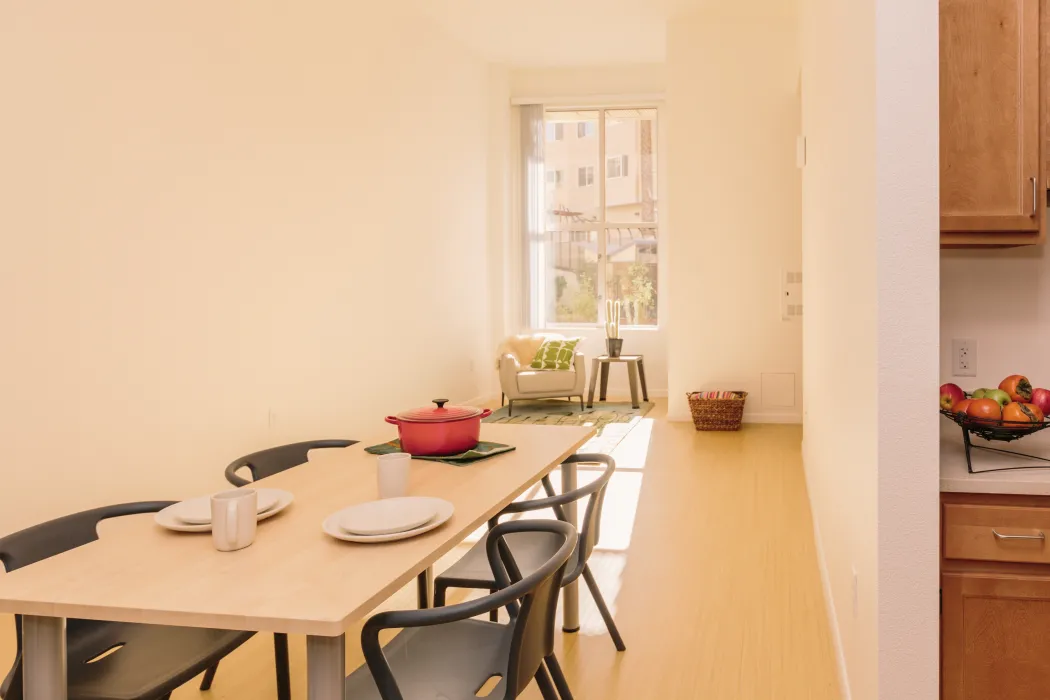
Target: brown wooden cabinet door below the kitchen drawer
995, 638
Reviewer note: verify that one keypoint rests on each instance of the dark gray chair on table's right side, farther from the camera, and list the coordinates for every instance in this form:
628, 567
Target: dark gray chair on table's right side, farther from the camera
472, 571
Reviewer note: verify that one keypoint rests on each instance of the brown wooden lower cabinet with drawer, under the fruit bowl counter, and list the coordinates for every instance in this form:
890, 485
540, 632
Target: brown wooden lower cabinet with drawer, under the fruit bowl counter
995, 598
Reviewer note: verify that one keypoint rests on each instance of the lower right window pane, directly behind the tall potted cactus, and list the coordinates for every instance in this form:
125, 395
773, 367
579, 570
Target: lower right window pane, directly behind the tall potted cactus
631, 272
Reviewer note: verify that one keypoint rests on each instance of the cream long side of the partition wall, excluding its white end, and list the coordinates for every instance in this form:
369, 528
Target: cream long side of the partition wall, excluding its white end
841, 447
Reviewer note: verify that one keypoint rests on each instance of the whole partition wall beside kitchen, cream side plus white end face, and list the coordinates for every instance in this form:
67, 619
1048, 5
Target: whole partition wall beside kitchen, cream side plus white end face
870, 246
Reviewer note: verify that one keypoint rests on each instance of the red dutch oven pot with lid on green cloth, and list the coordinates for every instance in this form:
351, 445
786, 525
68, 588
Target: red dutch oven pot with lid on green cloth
442, 431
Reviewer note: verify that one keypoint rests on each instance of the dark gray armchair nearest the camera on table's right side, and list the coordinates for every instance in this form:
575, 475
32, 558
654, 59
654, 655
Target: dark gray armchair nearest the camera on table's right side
443, 653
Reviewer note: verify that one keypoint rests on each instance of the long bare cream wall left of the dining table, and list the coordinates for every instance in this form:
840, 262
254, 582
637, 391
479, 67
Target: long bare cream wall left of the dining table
226, 227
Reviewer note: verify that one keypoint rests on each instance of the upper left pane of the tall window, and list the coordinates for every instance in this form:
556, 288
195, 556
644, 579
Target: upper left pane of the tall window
574, 201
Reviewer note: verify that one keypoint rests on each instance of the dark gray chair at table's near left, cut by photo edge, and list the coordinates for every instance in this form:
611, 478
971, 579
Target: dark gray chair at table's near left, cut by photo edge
112, 661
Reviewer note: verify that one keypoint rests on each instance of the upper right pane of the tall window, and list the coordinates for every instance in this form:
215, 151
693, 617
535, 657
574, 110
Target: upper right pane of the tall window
632, 147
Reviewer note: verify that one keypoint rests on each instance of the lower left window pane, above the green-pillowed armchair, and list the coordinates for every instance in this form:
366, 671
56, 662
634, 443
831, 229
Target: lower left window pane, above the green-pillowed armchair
572, 278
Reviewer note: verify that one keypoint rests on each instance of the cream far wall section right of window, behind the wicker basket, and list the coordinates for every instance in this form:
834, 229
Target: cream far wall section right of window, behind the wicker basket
734, 119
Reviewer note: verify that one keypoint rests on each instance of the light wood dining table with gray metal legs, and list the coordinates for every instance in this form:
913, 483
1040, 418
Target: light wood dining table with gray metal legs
295, 579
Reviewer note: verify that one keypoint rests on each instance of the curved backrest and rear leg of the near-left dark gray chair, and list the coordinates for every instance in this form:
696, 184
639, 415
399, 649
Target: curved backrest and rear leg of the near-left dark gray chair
40, 542
